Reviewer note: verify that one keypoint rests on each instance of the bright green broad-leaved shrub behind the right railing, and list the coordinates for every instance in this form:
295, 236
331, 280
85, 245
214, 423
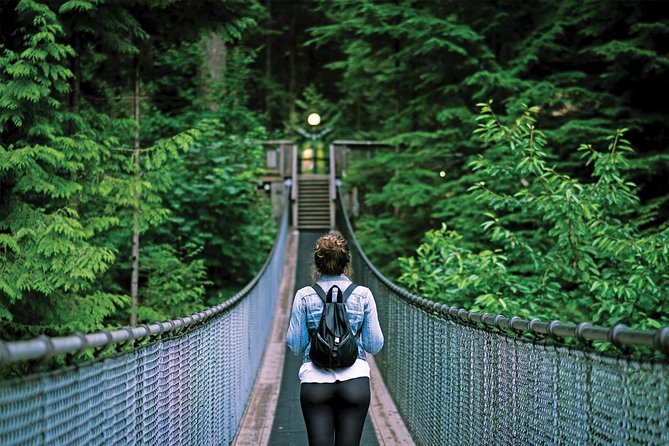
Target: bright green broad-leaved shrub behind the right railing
558, 247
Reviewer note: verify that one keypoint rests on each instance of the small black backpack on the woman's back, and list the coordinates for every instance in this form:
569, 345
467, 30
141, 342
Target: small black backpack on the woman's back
333, 345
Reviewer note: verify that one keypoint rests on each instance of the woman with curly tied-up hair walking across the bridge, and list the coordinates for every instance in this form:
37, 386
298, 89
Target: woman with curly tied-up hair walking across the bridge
334, 400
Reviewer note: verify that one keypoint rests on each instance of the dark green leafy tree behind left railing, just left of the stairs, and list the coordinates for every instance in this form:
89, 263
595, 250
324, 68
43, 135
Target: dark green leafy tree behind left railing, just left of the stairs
218, 206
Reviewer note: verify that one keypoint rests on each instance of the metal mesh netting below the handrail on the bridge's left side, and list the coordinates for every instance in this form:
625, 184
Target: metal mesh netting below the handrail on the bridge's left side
191, 389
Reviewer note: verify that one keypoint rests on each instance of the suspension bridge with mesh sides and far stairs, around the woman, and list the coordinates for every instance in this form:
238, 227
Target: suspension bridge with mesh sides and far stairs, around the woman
445, 375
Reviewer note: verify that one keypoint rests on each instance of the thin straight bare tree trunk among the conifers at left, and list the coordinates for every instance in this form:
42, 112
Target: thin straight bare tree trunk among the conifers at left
134, 278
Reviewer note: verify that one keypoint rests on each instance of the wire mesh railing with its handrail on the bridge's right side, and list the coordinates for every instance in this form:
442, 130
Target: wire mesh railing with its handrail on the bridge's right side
460, 378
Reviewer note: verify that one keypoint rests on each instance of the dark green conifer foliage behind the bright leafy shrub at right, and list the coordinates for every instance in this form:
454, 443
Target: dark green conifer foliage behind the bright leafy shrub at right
408, 73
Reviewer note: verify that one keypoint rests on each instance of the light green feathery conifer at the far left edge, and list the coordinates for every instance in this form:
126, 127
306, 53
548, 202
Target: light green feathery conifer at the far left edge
49, 249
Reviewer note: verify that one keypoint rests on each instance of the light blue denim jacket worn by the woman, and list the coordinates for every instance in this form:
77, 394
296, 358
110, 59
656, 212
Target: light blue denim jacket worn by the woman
361, 309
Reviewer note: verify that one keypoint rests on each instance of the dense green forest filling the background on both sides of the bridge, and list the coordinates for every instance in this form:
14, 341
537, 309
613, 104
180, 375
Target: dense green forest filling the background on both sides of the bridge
526, 169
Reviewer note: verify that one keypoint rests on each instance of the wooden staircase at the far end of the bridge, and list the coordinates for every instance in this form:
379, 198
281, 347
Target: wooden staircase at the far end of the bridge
313, 202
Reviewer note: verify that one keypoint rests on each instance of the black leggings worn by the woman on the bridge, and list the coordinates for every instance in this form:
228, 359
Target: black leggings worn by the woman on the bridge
335, 412
